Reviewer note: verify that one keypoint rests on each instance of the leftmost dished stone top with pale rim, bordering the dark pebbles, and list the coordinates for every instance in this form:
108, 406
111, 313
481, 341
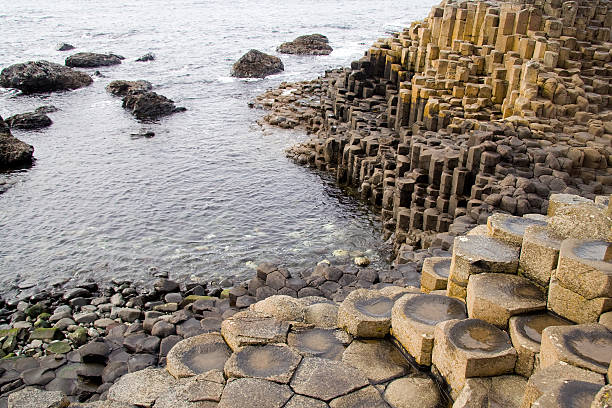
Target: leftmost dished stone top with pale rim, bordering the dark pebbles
197, 355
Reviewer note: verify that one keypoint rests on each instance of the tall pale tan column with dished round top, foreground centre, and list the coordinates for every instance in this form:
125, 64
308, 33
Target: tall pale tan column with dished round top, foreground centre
414, 318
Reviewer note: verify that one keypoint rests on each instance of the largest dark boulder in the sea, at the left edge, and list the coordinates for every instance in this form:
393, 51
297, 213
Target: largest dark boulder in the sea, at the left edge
42, 76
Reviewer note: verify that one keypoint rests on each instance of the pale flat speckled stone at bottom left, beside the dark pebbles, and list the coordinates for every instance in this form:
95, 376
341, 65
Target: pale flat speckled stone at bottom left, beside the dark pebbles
141, 388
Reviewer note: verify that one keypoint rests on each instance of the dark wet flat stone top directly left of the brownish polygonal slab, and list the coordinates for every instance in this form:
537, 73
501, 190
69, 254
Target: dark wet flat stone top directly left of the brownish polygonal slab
316, 342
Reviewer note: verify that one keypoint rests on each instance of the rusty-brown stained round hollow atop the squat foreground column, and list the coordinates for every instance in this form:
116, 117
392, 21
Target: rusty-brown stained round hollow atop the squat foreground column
478, 336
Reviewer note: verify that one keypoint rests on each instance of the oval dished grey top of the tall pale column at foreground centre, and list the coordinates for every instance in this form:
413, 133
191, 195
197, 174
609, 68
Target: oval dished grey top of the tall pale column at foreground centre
433, 309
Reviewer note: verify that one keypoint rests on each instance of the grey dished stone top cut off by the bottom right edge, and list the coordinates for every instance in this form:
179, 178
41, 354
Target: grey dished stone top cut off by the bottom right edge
568, 394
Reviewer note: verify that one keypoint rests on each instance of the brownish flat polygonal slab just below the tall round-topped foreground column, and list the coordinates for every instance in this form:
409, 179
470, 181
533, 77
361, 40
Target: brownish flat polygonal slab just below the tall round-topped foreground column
378, 360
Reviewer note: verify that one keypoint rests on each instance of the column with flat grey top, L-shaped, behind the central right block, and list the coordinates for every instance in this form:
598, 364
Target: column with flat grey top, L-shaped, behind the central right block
478, 254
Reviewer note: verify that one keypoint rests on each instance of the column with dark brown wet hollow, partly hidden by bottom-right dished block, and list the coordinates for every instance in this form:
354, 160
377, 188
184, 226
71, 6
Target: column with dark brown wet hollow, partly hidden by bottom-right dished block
526, 335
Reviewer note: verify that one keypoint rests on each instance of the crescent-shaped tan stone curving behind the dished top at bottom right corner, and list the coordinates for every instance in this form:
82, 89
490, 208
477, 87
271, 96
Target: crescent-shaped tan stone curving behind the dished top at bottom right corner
546, 377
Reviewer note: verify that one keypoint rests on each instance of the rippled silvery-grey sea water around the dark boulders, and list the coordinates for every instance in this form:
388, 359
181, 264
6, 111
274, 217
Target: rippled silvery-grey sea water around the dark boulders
211, 194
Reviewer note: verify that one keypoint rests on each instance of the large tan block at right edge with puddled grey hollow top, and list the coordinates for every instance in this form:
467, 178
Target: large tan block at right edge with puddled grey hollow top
583, 268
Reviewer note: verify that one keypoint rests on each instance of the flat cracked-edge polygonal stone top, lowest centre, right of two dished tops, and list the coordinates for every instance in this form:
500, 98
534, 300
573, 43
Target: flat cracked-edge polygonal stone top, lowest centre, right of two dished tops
326, 379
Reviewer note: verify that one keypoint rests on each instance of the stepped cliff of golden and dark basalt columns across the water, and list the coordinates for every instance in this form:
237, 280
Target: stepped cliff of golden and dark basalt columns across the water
479, 107
